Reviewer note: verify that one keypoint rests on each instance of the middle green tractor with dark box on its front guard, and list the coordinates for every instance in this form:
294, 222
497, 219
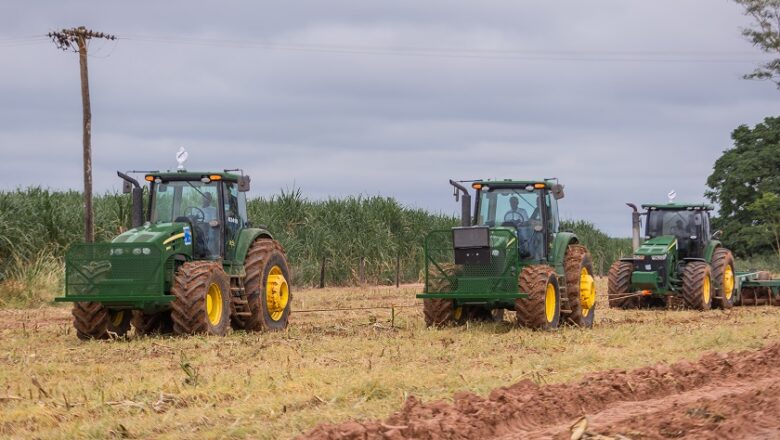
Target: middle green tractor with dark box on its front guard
510, 255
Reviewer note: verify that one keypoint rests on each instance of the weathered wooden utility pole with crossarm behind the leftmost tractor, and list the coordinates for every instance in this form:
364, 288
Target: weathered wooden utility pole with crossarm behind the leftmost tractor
76, 39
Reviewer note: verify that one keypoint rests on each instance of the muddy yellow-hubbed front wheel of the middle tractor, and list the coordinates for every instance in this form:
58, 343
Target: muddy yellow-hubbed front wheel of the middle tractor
542, 309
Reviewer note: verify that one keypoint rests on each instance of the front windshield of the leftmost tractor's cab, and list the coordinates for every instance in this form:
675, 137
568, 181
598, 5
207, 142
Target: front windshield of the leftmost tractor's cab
193, 199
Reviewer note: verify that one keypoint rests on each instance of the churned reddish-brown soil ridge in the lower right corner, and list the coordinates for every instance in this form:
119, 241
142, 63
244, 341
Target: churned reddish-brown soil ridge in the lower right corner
734, 396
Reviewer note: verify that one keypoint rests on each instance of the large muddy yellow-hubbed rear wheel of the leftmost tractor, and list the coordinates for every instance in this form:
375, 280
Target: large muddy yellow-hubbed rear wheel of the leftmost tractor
268, 293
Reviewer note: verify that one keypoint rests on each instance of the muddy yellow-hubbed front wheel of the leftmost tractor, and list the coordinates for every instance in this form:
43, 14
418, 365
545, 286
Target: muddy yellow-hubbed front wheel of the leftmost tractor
202, 303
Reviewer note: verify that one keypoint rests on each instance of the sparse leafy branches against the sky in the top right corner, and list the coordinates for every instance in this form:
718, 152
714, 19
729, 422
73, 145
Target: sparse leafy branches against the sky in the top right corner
765, 34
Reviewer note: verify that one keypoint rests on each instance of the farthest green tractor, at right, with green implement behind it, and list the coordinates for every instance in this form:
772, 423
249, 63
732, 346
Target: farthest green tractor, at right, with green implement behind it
682, 263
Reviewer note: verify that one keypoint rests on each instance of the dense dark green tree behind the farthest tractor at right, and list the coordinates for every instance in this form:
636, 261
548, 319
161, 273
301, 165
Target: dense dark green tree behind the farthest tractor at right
742, 175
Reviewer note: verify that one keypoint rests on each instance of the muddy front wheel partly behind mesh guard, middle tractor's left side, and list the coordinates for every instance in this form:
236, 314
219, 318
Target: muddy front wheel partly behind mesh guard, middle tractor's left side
439, 312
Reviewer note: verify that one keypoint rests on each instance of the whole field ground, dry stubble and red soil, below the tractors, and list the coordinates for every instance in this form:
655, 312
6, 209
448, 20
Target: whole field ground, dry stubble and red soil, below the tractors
353, 369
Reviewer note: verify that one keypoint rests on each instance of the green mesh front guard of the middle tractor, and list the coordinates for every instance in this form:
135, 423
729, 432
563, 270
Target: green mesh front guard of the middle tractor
496, 274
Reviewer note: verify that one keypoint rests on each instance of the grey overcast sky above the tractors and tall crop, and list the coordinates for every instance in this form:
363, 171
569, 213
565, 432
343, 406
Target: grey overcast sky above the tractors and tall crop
622, 100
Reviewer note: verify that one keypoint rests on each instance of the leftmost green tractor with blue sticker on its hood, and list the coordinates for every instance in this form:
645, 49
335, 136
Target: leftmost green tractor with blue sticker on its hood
192, 265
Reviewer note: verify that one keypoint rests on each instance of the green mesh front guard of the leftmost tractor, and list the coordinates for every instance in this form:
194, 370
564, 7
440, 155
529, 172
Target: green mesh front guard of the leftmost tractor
114, 269
